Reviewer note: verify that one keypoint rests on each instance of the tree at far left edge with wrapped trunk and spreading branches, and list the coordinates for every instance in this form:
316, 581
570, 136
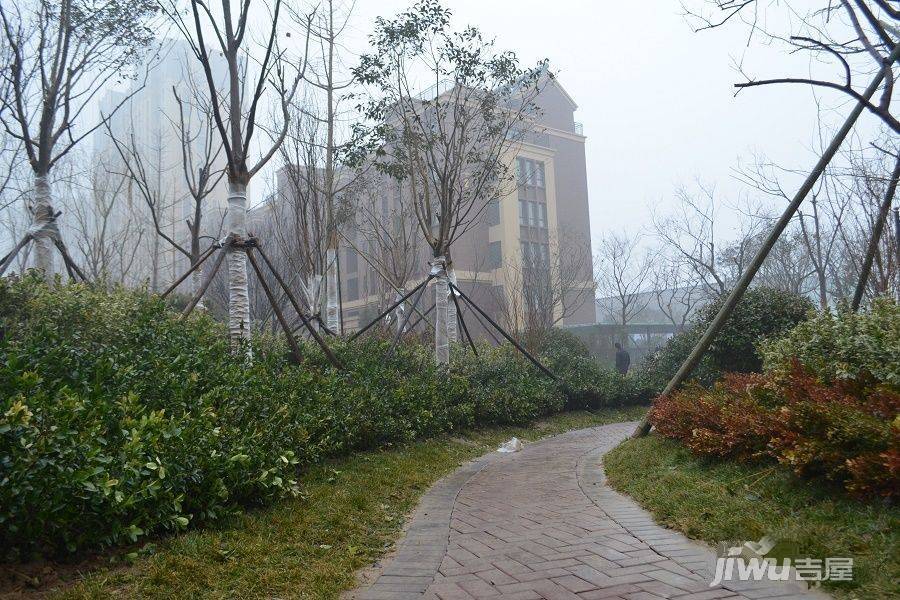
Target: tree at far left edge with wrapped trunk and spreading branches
60, 54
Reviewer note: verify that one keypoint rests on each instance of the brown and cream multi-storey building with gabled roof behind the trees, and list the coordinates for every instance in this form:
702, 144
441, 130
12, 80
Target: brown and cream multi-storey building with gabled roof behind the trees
543, 219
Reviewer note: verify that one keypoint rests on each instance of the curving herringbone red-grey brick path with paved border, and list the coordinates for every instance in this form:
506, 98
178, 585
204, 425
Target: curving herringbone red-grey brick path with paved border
541, 523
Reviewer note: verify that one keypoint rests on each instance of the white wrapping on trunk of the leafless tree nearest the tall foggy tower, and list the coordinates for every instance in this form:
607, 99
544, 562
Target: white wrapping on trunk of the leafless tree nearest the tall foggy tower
238, 295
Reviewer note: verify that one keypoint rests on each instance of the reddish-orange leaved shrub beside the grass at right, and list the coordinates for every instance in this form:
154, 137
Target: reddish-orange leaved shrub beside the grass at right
844, 432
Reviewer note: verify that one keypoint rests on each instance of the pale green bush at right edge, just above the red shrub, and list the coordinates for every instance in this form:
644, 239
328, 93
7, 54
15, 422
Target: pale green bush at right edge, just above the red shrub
844, 346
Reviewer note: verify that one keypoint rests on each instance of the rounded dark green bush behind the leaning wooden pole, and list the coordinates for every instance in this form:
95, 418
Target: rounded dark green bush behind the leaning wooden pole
761, 314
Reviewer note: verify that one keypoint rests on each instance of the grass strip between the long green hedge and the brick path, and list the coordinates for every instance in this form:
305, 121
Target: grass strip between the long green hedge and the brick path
350, 513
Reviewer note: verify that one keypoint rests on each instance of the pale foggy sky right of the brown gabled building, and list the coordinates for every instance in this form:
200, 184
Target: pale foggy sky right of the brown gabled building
656, 99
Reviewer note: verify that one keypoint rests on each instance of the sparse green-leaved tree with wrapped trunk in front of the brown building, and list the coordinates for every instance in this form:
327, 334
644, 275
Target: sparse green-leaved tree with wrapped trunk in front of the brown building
451, 143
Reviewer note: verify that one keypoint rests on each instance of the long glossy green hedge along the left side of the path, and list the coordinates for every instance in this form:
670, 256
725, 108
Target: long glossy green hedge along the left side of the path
118, 420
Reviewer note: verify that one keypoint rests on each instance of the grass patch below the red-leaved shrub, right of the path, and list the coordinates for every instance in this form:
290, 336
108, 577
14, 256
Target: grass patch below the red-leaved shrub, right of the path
716, 501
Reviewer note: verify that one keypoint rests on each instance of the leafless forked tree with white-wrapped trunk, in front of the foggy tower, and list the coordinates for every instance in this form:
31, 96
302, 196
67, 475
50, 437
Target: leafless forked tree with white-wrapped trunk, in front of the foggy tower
235, 110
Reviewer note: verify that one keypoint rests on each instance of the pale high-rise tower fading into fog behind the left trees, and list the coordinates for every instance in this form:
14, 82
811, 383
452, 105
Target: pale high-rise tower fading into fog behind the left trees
147, 121
